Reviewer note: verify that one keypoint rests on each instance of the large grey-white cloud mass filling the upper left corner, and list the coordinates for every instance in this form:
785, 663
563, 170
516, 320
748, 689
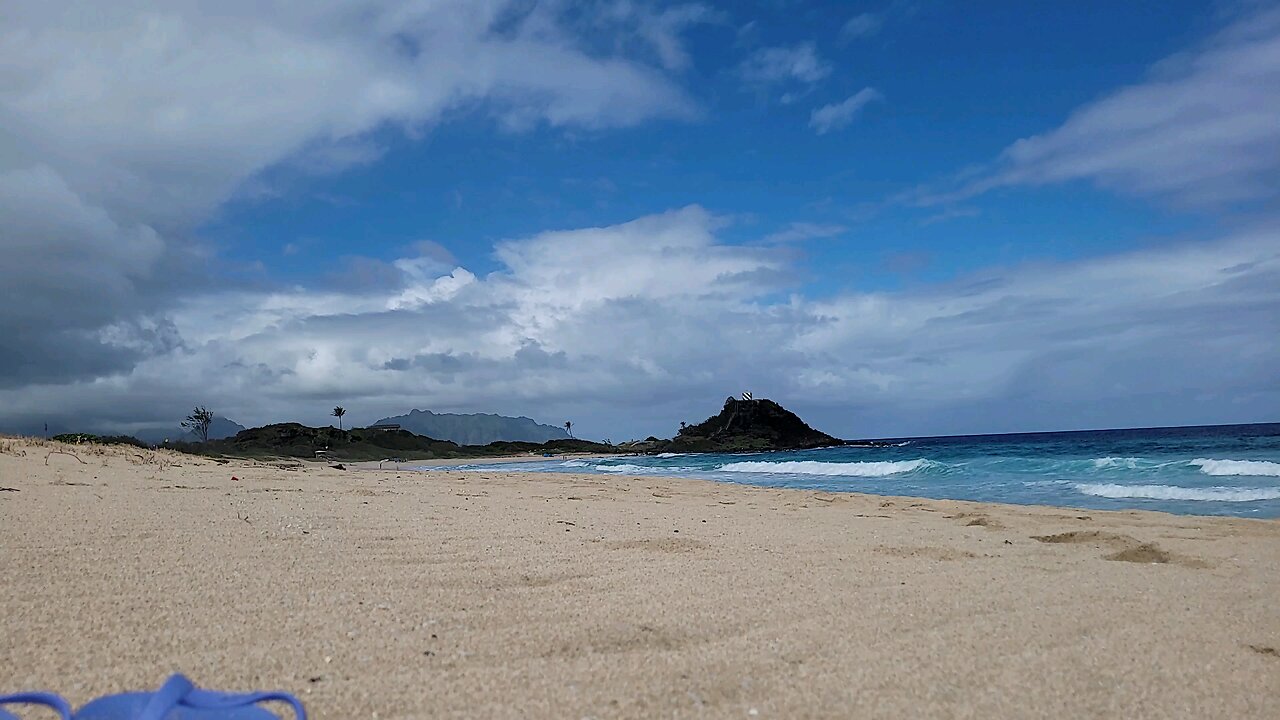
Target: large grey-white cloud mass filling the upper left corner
129, 124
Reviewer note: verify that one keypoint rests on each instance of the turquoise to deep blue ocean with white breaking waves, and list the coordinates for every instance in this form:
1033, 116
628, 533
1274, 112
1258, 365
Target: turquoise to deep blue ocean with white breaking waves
1204, 471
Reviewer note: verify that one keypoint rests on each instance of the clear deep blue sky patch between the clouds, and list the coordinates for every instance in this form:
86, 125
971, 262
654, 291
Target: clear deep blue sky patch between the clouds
959, 84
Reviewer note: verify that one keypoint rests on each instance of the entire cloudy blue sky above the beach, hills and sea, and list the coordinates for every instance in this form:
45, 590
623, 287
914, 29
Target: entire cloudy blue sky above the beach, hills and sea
897, 218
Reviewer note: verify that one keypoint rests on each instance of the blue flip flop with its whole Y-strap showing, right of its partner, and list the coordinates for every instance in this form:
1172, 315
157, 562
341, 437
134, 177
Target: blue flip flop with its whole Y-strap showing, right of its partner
181, 700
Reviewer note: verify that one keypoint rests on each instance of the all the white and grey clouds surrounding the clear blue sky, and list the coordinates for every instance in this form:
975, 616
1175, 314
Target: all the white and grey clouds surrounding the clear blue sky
131, 127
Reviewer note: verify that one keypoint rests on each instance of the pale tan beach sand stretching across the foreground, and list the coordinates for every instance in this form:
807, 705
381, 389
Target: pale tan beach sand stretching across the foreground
501, 595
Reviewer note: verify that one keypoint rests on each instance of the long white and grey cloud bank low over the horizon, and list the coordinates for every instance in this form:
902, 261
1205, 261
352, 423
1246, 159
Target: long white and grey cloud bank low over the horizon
657, 320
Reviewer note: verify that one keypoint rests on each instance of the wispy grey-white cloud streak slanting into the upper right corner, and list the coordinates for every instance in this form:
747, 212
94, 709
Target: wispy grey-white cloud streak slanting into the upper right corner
1203, 131
